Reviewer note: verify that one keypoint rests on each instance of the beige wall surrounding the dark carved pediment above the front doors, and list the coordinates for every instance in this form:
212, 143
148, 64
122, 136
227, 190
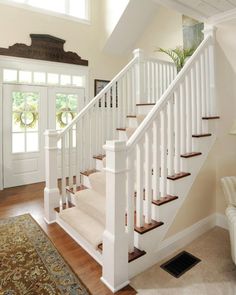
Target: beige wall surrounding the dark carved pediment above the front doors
17, 24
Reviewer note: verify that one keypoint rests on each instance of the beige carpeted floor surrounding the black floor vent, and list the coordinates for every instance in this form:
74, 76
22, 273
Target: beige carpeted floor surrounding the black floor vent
214, 275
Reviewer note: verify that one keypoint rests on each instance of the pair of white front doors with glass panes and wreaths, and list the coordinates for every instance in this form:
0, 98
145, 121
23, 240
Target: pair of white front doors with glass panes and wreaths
27, 112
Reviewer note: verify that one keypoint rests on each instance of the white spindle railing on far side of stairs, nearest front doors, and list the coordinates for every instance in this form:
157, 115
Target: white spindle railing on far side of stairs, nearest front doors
85, 136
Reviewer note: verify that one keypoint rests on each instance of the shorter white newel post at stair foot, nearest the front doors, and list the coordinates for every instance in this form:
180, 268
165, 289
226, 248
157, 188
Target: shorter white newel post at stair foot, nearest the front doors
51, 191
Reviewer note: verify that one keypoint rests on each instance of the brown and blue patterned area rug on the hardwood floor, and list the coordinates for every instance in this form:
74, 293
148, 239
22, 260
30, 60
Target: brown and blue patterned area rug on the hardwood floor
30, 264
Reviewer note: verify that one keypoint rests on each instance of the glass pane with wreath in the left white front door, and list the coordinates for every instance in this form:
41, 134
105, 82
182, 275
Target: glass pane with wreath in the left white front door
25, 119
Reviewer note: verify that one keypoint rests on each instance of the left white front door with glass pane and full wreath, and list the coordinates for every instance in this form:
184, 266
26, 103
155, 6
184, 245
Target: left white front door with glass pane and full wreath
24, 121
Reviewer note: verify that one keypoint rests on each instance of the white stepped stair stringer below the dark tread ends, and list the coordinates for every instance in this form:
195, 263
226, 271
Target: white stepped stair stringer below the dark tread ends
153, 241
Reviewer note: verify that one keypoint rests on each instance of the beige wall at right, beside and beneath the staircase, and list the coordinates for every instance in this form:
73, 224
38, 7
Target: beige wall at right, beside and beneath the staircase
206, 195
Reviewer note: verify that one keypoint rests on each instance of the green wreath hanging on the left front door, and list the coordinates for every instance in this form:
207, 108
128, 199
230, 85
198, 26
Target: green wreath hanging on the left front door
26, 116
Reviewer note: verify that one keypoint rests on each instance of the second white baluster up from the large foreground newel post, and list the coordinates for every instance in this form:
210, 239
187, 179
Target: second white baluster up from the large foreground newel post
139, 184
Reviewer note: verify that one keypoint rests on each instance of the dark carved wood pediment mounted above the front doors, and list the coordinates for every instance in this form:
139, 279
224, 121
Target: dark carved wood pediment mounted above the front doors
44, 47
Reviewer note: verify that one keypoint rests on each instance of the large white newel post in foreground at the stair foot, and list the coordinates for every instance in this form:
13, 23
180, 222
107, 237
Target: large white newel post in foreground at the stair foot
115, 239
